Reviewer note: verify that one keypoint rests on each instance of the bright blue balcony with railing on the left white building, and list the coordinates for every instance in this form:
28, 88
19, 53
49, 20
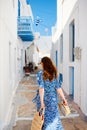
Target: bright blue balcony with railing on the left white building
25, 28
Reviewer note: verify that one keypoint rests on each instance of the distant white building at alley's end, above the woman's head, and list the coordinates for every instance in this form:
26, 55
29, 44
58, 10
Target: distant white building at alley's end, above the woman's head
39, 48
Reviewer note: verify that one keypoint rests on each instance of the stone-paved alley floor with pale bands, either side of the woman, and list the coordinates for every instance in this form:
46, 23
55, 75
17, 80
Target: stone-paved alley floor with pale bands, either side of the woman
25, 109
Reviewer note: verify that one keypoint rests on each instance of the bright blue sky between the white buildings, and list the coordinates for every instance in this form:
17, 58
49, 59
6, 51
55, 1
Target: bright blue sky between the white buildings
44, 12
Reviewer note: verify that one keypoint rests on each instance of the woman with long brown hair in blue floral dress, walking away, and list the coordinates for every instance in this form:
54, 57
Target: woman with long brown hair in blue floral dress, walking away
48, 89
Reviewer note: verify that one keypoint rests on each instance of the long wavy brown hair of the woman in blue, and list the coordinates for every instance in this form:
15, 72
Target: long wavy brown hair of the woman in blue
49, 70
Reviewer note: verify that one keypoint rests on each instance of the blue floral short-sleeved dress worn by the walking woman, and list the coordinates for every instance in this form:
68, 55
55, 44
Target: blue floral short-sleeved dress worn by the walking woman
51, 115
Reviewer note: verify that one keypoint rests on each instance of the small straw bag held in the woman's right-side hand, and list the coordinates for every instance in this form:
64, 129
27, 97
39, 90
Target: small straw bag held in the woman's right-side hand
64, 108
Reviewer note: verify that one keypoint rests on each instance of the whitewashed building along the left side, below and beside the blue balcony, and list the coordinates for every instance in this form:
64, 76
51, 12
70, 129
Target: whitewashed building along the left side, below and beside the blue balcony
12, 58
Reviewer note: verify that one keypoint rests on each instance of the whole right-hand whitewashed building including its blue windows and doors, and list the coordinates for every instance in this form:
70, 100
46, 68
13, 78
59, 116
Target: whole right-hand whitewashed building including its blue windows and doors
69, 48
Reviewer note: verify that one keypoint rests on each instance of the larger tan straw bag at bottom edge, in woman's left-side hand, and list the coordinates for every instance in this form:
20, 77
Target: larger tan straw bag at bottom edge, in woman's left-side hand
37, 121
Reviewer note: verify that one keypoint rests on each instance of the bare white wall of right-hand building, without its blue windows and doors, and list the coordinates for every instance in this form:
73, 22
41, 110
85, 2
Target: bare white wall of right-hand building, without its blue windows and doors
67, 12
